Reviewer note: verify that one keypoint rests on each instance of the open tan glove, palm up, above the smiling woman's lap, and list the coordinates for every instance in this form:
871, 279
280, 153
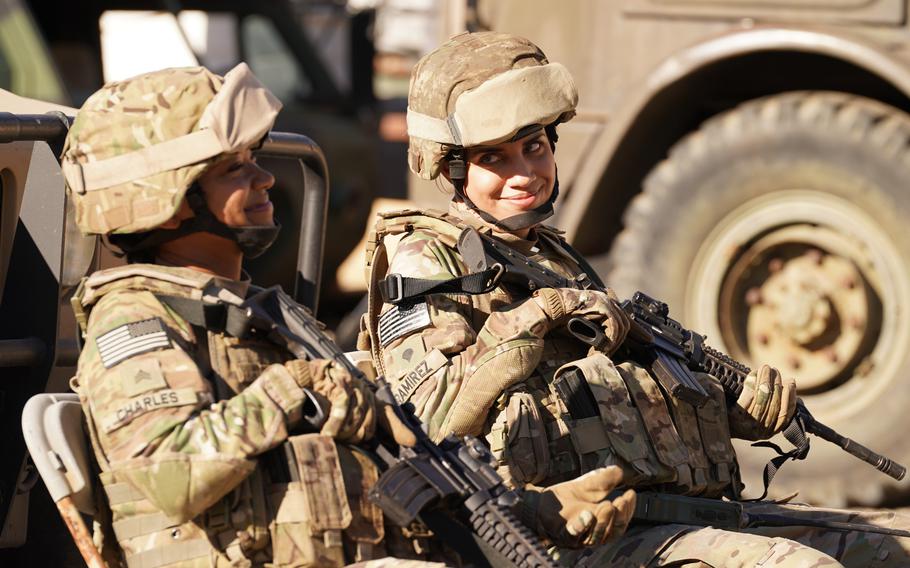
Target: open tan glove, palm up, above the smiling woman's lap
577, 513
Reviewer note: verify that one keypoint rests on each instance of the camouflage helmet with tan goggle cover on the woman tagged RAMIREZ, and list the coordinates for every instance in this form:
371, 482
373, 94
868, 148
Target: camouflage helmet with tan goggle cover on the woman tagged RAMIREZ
482, 88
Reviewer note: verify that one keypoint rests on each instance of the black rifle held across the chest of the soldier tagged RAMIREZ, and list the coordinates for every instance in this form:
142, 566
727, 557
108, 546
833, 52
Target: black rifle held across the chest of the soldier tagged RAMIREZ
672, 352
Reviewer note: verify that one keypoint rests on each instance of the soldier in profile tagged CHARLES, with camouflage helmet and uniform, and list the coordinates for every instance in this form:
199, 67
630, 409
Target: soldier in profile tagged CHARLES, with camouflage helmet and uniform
185, 416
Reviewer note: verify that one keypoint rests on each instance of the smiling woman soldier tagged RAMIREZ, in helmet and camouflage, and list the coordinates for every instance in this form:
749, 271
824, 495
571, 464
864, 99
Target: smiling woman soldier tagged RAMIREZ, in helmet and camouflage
482, 359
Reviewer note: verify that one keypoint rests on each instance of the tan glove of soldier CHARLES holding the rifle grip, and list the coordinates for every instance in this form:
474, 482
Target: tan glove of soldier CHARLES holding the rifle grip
349, 403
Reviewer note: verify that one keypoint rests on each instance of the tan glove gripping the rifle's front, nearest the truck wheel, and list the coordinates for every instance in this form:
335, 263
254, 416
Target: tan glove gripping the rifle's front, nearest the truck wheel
765, 407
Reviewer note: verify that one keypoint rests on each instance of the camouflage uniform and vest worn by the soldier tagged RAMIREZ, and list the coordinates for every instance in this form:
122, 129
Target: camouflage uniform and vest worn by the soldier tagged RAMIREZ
437, 360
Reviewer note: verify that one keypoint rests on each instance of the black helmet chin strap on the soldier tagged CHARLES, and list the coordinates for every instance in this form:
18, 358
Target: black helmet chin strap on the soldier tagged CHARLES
252, 241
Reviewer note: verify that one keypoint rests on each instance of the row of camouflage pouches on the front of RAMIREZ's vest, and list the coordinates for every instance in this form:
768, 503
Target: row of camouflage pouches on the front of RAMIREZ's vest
605, 414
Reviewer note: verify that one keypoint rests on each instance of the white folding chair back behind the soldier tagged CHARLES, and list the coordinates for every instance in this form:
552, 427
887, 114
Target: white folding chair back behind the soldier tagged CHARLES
52, 426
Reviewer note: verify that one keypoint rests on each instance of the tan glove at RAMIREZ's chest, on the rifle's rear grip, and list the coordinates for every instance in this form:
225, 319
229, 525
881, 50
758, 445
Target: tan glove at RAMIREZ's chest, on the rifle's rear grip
562, 304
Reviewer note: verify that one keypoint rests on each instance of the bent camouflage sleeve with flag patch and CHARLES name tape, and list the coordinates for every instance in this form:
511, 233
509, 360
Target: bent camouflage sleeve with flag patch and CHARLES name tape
154, 414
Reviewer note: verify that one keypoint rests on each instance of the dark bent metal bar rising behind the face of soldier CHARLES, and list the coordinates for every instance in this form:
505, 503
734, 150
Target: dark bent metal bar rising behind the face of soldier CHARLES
315, 210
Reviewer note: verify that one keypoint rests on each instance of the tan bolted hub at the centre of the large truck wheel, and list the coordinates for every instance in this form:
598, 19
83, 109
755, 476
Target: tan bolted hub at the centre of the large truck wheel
809, 315
